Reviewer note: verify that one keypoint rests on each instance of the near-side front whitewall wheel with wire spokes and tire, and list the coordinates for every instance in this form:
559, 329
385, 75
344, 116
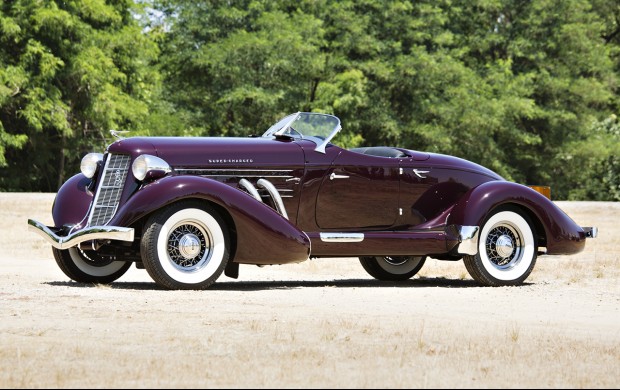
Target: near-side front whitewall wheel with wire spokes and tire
185, 246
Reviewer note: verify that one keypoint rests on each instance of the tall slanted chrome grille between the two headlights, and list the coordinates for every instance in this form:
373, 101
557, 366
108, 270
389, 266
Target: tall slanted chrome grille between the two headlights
110, 189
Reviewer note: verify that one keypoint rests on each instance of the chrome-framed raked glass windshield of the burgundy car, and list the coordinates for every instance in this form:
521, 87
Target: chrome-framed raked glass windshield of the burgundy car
318, 128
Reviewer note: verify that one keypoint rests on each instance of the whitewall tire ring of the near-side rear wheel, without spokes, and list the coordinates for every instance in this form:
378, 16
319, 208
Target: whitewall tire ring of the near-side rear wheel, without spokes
520, 270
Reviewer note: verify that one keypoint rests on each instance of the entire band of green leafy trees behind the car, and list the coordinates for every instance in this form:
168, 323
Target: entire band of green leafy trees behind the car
526, 88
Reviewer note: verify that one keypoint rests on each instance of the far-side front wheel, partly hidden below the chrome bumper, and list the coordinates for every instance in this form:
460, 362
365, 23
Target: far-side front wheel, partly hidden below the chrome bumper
88, 266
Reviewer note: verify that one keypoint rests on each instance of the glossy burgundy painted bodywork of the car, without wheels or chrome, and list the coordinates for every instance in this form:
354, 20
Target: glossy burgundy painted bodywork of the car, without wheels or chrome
401, 204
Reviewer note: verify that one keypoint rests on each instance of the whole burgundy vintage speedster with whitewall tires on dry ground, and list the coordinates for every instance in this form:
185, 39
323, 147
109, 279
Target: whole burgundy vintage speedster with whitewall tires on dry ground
188, 209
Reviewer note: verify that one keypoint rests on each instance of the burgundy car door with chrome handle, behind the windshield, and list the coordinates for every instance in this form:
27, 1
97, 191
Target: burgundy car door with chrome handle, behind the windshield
359, 192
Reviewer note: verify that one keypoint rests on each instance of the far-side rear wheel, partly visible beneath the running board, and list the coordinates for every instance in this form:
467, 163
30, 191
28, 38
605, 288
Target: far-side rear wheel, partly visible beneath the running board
392, 268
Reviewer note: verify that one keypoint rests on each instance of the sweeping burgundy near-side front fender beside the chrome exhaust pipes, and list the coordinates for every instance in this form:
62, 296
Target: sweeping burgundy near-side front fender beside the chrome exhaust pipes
263, 235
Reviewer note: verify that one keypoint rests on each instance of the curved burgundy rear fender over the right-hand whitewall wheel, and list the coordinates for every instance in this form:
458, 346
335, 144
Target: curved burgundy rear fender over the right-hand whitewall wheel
563, 235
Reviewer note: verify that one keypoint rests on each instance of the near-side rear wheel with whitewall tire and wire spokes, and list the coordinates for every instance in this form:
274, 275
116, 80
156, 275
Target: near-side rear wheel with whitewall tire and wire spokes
506, 250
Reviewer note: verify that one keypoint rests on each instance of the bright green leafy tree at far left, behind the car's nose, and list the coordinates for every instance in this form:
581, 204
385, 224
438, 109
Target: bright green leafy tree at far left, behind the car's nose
69, 72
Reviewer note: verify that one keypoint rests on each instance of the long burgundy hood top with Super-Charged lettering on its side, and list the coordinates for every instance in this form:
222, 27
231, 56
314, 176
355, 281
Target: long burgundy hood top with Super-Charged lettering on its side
213, 151
